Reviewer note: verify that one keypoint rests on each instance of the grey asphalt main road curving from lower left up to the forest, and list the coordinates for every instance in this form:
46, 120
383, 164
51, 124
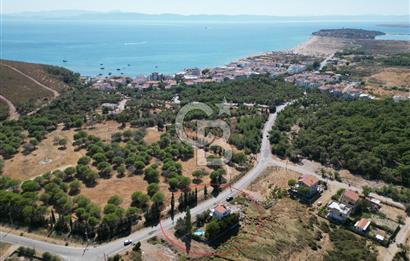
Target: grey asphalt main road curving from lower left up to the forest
101, 252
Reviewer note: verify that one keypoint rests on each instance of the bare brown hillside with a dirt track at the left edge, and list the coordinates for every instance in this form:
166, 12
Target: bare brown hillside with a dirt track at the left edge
28, 86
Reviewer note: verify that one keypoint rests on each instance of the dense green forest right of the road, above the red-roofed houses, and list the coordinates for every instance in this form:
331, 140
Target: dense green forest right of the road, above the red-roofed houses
370, 138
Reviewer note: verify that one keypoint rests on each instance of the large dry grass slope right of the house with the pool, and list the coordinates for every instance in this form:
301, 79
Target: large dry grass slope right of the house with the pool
280, 233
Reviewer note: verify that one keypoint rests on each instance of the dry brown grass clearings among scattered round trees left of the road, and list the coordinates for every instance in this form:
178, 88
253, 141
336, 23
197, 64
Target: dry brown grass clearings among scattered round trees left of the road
48, 157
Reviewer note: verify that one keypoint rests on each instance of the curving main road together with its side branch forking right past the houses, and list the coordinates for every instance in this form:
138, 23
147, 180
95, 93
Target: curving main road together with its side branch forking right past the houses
265, 159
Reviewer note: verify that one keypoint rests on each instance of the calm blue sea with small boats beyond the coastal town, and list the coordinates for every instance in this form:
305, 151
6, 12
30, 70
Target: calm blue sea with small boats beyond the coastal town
142, 47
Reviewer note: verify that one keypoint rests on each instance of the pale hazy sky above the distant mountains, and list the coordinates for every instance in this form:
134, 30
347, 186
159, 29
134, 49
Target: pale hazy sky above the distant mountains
227, 7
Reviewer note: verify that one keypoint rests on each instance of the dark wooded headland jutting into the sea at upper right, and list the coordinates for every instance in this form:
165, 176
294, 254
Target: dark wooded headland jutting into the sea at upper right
347, 33
